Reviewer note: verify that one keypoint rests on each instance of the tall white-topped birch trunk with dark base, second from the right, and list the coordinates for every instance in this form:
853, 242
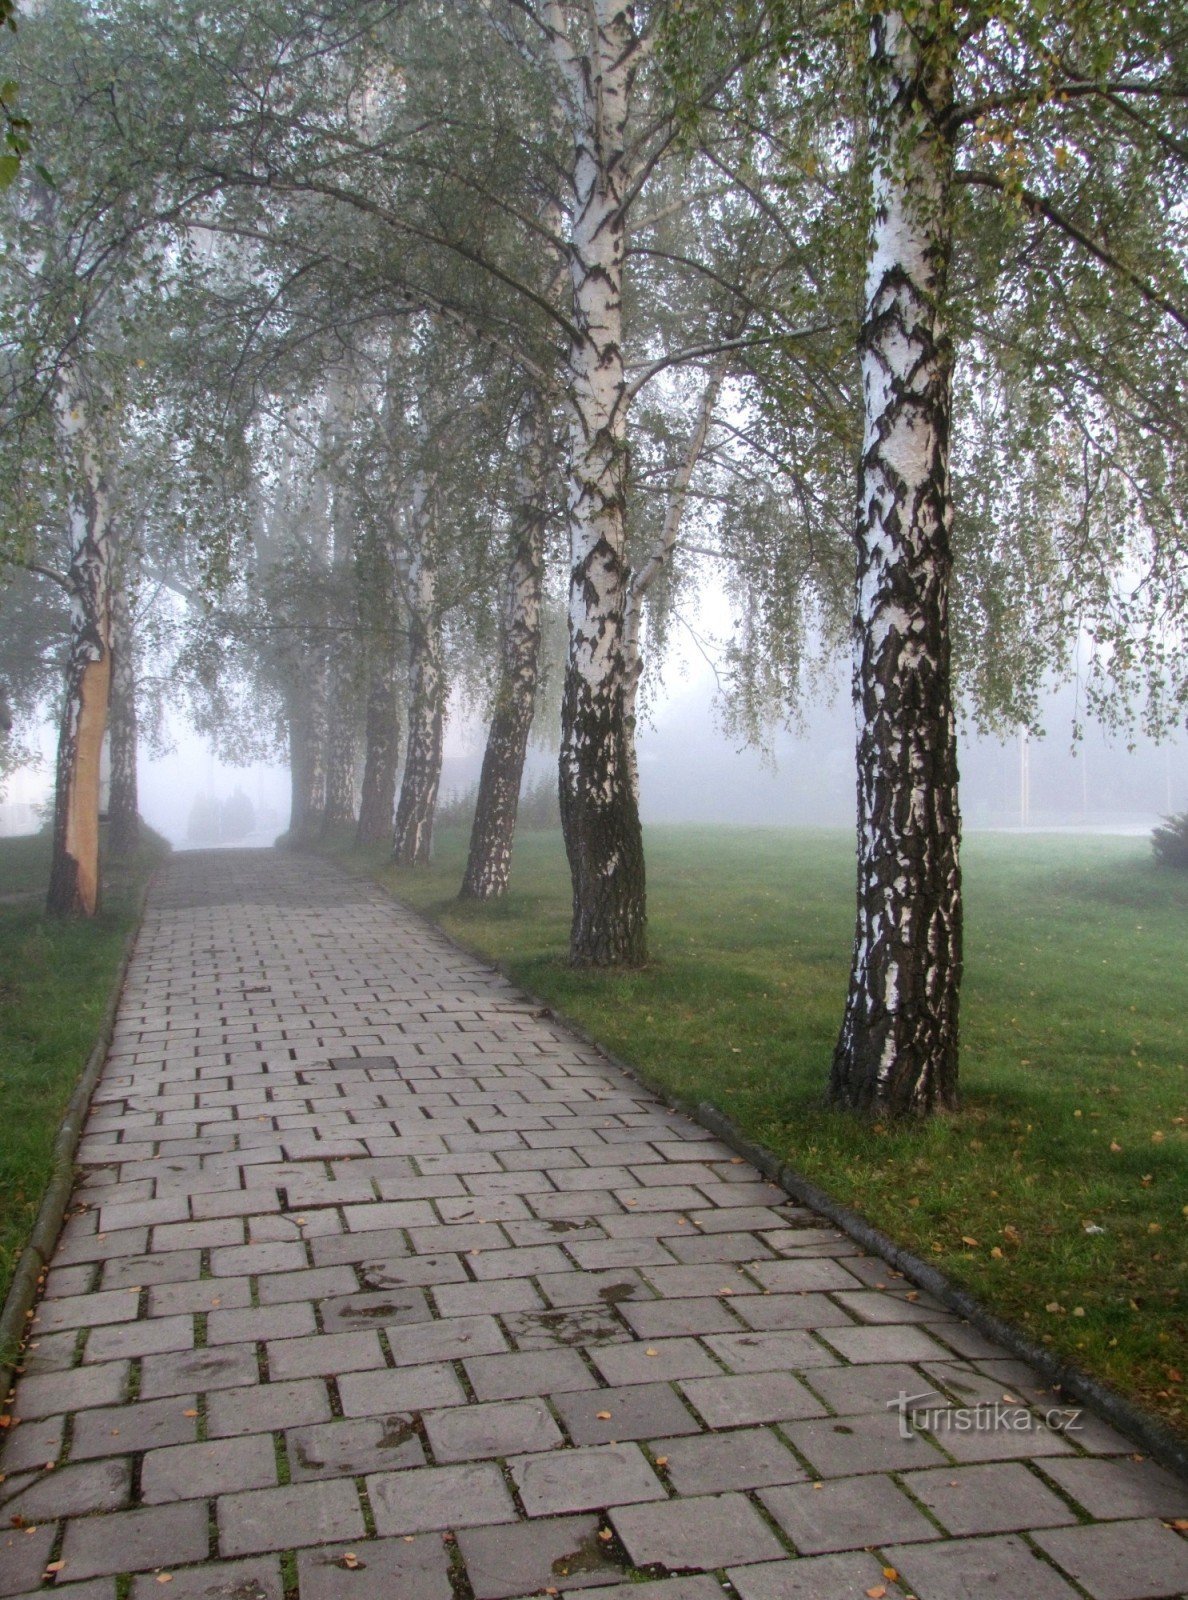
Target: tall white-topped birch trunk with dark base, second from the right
598, 806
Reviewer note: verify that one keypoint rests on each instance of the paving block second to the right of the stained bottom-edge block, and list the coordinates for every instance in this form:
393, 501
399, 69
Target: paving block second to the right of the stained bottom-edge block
846, 1514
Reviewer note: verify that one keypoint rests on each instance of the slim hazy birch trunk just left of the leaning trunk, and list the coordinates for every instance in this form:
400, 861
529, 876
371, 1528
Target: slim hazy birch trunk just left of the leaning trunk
412, 846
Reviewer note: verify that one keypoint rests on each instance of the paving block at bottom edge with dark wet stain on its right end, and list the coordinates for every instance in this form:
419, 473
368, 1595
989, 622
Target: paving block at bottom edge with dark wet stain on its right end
531, 1558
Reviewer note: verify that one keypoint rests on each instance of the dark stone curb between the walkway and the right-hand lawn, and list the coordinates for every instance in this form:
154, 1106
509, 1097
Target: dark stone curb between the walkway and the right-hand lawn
1147, 1431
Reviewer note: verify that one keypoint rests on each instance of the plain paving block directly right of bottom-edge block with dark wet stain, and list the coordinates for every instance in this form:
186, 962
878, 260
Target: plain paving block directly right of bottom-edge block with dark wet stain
704, 1532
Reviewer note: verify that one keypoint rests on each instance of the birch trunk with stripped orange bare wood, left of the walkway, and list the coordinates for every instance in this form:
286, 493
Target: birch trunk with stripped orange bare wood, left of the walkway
74, 871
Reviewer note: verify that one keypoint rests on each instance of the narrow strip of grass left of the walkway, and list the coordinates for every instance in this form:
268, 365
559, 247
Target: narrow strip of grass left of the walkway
55, 982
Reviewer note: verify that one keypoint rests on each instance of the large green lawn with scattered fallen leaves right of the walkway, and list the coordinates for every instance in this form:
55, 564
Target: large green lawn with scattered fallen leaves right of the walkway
1075, 1071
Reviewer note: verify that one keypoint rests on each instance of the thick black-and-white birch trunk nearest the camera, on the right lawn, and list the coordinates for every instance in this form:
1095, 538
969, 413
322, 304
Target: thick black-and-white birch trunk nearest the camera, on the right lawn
899, 1042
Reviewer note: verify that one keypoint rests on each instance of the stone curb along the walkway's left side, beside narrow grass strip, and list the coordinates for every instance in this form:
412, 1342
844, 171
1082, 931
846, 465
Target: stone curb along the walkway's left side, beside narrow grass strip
55, 1202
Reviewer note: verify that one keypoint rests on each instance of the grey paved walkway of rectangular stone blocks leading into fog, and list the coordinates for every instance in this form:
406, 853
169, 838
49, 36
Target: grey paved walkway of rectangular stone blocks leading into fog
383, 1287
